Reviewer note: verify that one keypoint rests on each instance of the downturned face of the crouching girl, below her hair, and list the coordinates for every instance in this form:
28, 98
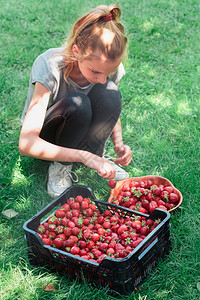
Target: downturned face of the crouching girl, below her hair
96, 68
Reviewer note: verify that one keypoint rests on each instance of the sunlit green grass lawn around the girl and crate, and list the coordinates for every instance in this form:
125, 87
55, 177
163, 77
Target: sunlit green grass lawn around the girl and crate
160, 118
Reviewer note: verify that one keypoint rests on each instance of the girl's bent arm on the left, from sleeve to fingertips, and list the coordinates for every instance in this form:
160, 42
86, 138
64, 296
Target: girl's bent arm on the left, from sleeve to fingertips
30, 143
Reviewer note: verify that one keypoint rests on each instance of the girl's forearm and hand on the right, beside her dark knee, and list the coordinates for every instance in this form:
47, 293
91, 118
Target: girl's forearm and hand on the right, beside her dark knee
123, 151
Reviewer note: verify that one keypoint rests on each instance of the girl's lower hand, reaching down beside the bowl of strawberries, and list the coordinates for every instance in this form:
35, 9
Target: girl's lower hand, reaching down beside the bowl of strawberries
104, 168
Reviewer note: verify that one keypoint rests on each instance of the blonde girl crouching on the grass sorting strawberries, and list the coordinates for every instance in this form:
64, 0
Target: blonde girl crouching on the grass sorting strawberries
73, 103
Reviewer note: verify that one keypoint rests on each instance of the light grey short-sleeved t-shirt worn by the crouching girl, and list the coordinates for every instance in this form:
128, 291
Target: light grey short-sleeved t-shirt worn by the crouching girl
48, 70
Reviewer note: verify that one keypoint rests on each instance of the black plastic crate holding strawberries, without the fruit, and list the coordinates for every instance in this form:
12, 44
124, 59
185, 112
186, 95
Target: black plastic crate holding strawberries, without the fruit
121, 275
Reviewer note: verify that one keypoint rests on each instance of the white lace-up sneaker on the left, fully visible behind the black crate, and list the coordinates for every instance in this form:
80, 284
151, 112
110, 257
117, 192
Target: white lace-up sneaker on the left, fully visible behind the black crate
60, 178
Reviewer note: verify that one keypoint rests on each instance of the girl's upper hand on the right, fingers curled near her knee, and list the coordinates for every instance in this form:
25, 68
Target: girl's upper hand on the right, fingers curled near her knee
125, 155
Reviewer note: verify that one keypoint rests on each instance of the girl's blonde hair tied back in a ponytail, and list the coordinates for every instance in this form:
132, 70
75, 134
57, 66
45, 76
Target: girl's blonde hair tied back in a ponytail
87, 33
